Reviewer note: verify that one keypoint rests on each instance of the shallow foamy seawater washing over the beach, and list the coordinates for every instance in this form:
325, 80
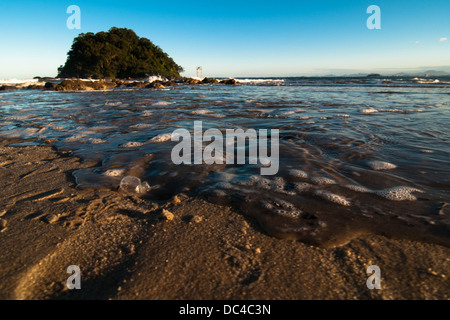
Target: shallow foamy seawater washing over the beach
357, 155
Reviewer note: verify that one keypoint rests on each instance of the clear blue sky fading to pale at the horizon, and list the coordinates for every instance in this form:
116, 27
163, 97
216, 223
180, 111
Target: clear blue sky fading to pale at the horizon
238, 38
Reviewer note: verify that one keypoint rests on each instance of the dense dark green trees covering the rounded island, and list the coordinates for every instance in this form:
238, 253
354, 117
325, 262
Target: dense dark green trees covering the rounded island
118, 53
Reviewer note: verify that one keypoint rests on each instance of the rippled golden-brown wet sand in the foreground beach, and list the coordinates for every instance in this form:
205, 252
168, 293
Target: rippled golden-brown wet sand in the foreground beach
133, 248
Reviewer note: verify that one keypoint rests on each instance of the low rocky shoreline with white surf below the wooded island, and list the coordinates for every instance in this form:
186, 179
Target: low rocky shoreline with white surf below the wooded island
50, 84
